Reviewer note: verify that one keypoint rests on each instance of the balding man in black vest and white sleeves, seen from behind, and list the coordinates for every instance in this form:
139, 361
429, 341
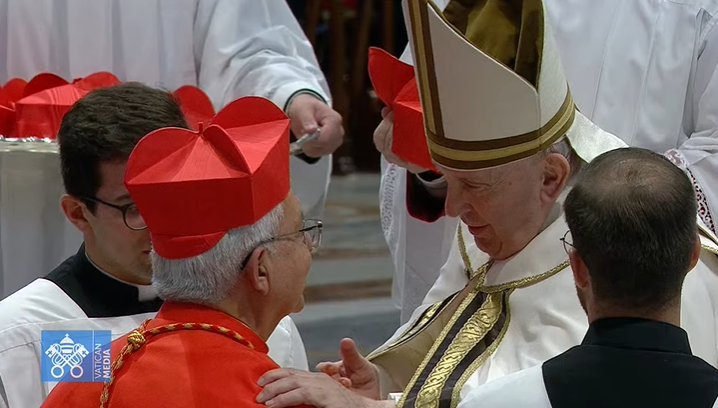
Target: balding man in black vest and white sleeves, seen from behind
632, 239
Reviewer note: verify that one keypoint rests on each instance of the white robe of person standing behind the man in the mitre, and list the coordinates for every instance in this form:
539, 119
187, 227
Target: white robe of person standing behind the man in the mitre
644, 71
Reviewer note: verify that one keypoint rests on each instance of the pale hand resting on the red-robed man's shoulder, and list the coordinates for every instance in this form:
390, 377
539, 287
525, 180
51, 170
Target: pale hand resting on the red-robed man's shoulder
286, 387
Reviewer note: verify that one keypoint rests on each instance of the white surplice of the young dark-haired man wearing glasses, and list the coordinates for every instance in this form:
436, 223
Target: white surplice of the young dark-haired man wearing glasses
42, 305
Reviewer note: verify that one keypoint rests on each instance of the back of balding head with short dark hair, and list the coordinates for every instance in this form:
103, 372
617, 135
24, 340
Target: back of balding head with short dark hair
632, 216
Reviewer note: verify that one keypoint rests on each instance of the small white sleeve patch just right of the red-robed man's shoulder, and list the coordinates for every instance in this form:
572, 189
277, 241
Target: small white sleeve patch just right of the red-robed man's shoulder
286, 347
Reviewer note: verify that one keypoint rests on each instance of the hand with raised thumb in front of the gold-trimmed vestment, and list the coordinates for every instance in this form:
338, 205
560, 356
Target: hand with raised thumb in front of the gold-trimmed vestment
354, 371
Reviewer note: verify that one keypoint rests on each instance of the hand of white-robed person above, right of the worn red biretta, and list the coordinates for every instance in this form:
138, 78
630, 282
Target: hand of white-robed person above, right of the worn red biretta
307, 113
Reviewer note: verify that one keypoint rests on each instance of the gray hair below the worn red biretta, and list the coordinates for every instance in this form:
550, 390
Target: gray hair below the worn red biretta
208, 278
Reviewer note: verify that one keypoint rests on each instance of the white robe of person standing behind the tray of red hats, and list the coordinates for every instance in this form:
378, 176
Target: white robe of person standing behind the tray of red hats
229, 48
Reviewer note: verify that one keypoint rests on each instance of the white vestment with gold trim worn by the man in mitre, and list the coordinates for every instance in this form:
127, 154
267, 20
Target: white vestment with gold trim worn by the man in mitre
544, 316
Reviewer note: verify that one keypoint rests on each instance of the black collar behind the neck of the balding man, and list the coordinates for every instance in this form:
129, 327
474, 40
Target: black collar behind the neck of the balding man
639, 334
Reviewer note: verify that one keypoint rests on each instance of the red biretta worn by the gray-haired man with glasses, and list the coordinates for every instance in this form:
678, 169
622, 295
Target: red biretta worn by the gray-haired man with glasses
191, 187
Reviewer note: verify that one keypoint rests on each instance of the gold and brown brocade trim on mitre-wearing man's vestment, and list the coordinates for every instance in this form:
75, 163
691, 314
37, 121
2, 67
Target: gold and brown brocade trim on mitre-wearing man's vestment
434, 358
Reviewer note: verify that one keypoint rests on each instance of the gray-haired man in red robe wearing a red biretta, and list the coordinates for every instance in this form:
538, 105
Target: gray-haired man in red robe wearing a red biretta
231, 252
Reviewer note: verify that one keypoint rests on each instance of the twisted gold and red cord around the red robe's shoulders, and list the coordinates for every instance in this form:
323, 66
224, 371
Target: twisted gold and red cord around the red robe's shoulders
140, 336
